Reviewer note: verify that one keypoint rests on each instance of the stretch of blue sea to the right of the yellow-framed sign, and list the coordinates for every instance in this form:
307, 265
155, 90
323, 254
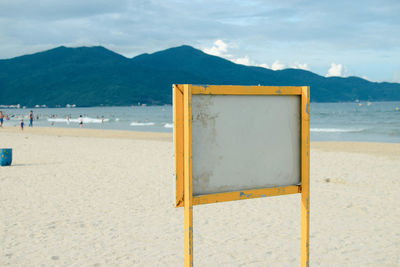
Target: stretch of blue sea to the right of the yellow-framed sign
364, 121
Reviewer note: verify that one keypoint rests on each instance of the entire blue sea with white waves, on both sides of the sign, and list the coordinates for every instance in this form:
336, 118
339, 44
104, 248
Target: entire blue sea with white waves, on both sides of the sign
364, 121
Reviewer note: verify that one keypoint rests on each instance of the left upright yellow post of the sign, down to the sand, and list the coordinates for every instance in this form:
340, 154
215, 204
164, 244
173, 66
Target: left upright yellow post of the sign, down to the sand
188, 188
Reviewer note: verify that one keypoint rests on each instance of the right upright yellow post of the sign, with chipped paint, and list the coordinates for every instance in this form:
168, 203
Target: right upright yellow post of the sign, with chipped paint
305, 176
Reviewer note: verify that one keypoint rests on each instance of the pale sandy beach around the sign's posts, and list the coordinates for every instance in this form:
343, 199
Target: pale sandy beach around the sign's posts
79, 197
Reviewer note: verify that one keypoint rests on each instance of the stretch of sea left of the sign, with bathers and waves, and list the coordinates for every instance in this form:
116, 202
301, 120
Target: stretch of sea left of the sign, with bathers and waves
135, 118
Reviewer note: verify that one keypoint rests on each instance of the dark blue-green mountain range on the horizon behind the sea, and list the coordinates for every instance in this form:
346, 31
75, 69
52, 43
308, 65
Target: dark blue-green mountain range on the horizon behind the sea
94, 76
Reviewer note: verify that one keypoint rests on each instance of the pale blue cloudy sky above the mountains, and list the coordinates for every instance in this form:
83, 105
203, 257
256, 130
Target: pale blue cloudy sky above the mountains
331, 38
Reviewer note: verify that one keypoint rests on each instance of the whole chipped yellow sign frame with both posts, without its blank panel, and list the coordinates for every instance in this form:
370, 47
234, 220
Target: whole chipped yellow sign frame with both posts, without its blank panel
183, 158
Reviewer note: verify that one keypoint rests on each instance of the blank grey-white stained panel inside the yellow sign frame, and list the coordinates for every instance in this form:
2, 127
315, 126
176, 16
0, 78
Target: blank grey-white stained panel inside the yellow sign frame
243, 142
